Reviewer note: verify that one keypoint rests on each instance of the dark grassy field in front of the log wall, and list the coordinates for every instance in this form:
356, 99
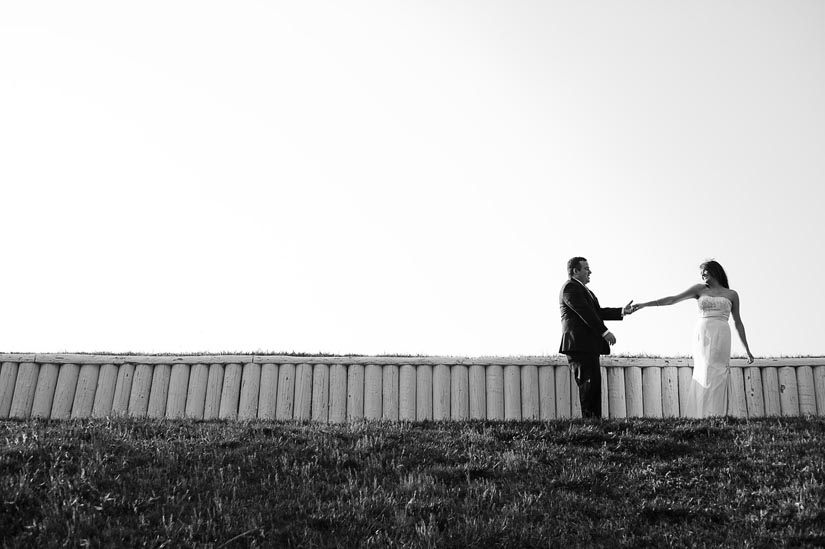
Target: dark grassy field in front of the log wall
640, 482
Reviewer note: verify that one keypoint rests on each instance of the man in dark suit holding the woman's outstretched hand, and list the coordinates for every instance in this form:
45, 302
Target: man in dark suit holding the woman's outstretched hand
584, 335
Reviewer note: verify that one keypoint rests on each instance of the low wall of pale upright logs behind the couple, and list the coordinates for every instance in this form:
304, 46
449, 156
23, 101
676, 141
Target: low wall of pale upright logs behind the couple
340, 389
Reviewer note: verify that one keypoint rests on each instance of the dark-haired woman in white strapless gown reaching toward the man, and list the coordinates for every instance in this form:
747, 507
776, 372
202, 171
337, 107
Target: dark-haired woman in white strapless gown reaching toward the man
708, 393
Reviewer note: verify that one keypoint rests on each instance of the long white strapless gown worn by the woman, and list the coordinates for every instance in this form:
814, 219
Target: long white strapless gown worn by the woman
708, 392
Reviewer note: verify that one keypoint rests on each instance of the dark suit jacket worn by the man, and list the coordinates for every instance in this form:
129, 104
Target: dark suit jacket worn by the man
582, 320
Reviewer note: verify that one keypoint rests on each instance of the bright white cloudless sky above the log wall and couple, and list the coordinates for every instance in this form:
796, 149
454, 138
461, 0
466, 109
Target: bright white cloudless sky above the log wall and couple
405, 177
